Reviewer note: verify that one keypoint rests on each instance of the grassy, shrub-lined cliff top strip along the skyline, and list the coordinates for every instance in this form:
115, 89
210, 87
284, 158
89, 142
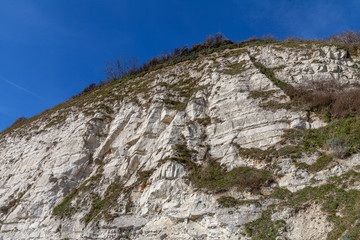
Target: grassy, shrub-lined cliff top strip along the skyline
140, 77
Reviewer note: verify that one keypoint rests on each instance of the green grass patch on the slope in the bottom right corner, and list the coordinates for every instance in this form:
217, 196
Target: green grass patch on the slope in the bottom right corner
341, 206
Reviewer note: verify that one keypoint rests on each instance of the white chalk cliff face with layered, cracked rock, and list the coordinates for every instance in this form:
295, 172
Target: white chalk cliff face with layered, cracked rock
120, 163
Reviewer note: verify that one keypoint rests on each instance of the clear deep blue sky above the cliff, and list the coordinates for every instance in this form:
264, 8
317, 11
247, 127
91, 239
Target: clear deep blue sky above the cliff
52, 49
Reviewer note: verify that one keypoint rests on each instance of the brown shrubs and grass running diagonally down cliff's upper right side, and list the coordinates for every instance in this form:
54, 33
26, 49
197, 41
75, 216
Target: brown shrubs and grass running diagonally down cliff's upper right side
341, 136
